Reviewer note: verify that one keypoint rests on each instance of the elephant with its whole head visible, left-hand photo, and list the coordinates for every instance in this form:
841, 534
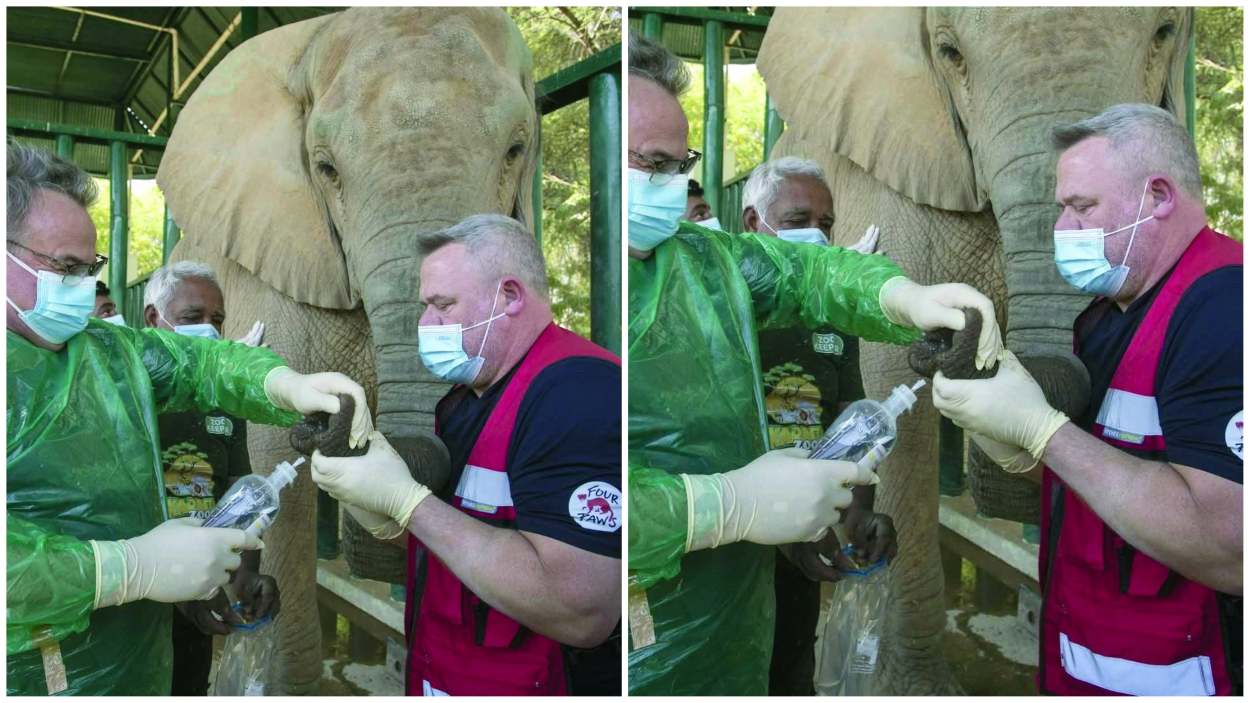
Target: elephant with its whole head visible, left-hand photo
303, 171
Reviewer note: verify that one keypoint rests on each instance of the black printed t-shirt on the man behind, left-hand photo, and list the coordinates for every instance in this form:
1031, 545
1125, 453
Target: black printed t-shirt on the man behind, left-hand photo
202, 455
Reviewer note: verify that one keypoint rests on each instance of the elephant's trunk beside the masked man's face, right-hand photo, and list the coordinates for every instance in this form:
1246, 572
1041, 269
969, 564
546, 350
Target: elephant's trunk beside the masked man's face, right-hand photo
1042, 306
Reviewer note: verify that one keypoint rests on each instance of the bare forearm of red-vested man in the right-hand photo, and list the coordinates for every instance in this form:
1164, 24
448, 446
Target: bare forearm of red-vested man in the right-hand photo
1149, 505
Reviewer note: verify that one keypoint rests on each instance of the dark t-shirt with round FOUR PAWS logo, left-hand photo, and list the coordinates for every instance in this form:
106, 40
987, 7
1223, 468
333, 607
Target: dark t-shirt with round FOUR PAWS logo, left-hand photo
564, 453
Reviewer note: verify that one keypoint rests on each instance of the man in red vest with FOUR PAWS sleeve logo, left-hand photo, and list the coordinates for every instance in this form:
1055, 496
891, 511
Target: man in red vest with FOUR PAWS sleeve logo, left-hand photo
522, 567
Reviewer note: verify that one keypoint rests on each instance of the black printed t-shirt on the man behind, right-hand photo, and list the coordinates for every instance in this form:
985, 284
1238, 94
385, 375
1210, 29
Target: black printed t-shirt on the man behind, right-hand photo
807, 375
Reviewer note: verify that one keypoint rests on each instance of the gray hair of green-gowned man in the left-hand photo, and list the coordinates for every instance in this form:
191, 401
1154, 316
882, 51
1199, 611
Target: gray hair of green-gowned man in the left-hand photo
36, 169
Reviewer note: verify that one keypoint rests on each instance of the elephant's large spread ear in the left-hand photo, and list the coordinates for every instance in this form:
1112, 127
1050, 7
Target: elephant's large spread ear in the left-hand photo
236, 176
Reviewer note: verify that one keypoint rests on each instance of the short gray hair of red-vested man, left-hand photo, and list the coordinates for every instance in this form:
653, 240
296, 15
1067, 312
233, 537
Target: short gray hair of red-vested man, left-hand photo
498, 242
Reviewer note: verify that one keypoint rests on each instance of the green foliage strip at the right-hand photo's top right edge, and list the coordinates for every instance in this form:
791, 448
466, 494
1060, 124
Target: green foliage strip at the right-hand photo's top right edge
1219, 117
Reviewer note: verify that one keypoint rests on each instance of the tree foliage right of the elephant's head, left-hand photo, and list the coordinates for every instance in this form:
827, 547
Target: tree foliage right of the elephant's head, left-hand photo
559, 38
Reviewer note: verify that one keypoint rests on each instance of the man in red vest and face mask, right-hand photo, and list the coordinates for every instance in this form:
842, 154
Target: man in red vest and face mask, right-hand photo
1142, 497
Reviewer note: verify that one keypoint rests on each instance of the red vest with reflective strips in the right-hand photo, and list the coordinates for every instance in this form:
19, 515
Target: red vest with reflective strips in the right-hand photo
1116, 621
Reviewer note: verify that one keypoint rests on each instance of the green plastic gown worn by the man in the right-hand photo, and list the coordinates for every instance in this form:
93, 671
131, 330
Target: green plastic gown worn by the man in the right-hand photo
697, 407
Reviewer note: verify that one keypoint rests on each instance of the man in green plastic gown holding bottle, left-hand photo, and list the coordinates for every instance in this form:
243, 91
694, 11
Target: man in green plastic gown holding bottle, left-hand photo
93, 564
